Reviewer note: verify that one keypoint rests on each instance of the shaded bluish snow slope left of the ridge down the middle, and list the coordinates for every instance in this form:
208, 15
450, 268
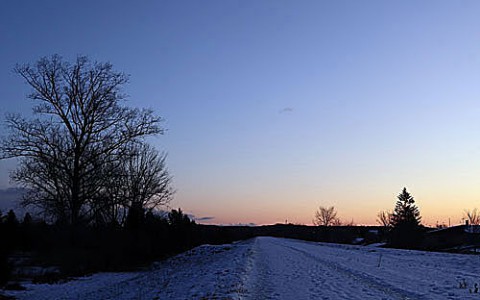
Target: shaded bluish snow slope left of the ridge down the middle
205, 272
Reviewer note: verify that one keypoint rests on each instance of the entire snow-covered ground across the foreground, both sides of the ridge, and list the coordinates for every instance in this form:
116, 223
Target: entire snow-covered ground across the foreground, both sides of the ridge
273, 268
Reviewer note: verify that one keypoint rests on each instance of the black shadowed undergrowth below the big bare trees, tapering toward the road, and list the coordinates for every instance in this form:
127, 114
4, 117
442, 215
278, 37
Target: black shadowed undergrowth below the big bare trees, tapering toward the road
85, 249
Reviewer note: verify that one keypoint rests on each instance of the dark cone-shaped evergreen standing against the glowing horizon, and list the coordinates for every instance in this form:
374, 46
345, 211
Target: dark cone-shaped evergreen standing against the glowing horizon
405, 221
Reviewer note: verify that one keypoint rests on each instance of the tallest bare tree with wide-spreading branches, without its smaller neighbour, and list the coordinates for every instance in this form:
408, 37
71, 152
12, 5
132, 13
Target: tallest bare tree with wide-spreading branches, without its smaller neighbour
80, 125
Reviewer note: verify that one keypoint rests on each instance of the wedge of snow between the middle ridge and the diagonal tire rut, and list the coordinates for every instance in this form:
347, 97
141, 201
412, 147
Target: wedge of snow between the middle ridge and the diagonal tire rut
281, 271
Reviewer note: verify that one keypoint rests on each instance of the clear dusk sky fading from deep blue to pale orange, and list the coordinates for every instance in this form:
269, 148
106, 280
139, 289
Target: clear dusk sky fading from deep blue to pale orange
274, 108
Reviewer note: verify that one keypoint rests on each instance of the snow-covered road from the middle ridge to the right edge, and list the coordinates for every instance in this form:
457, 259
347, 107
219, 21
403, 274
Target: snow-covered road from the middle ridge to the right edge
291, 269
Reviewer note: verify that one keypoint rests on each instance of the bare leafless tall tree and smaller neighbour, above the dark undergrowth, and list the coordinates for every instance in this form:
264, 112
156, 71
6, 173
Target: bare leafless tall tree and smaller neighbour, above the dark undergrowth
84, 156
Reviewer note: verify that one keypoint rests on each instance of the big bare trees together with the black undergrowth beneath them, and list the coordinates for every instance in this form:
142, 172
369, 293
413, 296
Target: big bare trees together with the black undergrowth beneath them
86, 165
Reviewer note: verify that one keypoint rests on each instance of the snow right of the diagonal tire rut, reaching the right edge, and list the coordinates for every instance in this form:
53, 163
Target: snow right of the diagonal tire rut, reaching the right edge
432, 275
